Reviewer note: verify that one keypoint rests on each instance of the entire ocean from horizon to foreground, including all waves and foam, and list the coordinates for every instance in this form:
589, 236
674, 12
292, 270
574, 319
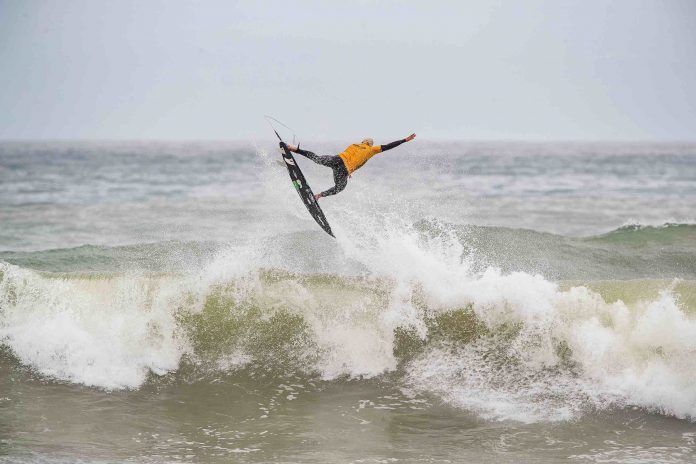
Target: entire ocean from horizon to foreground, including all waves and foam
481, 302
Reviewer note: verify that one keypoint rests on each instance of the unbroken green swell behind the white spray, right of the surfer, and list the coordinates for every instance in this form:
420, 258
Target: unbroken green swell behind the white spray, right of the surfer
629, 252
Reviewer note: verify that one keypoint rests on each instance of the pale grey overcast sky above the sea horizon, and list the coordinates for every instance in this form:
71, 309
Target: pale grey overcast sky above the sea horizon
529, 70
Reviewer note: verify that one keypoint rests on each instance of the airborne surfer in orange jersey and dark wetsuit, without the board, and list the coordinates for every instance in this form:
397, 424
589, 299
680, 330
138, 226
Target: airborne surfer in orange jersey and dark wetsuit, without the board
350, 160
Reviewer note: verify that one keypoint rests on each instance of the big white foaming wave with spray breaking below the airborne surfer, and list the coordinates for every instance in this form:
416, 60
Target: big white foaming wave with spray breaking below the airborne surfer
417, 307
